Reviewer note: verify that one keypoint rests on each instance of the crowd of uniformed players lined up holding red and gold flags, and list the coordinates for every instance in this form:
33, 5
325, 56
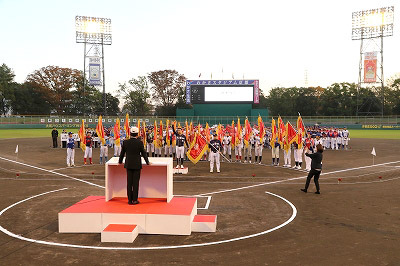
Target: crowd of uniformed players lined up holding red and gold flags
231, 140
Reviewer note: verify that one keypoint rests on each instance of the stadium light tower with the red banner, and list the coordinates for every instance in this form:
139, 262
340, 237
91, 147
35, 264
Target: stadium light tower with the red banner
369, 26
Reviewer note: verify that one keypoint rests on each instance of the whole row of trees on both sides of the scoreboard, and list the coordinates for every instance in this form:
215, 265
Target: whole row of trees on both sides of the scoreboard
57, 90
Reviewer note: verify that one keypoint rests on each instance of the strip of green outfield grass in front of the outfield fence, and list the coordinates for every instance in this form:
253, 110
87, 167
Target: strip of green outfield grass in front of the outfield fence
46, 132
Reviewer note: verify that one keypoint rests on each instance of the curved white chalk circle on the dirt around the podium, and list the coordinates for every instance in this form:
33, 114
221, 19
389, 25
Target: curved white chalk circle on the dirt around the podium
294, 213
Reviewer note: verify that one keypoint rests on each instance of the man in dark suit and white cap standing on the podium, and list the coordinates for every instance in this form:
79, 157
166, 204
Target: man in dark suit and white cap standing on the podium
134, 150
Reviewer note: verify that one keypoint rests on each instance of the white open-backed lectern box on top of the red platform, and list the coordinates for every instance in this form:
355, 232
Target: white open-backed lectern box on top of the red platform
156, 180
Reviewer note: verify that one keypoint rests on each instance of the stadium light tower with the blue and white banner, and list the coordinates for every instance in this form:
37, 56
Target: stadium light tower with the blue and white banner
95, 32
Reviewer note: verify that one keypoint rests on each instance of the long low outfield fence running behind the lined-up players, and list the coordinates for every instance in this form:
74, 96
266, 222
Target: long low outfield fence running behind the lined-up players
43, 121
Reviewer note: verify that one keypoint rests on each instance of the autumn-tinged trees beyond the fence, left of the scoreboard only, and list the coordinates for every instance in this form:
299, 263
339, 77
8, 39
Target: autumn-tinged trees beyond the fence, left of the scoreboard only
58, 90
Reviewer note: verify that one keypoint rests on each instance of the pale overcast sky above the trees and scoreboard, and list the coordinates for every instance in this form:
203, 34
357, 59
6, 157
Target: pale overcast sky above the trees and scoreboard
273, 41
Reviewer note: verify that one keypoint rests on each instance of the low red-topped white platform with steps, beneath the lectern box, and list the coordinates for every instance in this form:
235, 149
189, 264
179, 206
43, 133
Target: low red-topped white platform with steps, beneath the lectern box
152, 216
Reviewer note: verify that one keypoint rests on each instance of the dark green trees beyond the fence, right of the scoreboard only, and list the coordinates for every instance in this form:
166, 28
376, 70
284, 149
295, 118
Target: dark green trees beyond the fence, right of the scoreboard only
338, 99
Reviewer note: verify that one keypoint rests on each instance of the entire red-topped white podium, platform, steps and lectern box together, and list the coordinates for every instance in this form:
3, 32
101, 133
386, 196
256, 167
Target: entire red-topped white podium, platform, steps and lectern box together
159, 212
